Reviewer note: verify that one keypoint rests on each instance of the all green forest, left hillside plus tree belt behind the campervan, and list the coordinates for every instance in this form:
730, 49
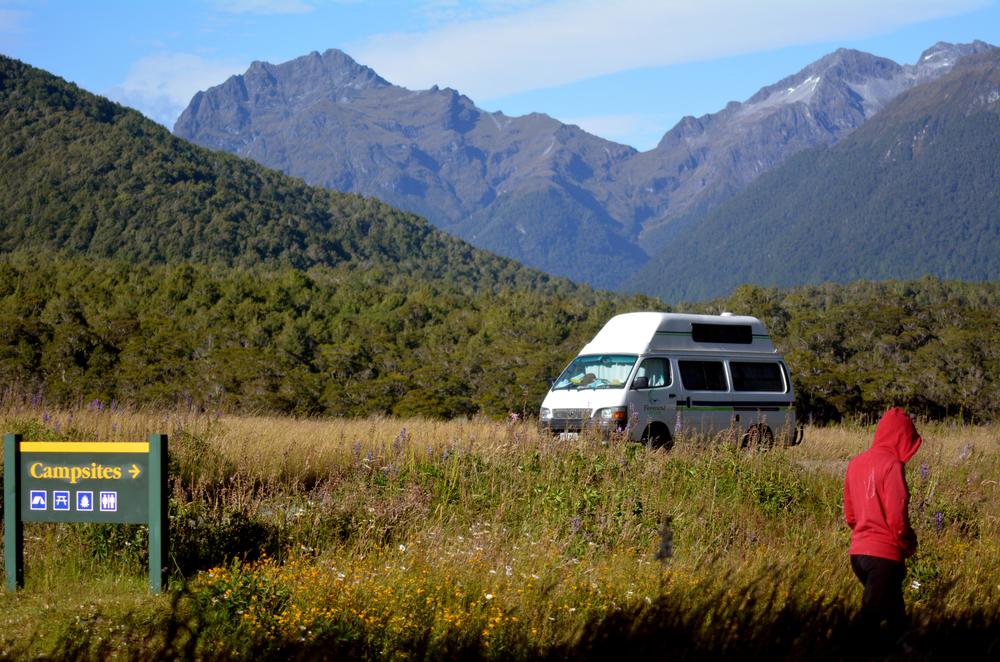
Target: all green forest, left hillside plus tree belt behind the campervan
136, 267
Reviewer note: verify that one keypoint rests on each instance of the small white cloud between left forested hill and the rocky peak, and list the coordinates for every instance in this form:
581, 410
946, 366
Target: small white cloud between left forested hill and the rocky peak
161, 85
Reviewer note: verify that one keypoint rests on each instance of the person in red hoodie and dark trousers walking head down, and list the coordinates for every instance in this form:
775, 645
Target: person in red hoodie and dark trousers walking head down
876, 506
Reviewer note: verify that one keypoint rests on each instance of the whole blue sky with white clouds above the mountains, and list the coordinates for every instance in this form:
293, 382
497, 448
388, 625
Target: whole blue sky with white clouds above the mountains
626, 70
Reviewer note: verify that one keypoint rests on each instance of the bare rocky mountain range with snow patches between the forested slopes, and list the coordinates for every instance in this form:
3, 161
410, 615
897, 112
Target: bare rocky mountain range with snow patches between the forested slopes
530, 187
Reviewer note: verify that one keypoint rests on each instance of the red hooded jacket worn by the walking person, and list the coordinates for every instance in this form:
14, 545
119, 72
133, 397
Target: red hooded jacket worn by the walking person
876, 498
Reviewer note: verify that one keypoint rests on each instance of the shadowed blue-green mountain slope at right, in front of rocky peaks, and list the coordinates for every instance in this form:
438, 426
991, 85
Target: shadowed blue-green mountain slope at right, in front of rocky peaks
912, 192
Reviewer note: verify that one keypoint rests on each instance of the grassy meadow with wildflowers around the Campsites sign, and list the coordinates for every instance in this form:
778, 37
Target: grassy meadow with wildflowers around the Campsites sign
414, 539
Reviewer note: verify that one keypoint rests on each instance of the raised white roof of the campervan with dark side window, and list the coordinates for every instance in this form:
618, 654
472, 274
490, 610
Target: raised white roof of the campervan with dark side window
643, 333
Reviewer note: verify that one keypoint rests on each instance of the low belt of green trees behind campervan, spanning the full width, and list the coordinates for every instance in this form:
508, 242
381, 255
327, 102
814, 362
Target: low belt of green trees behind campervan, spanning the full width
349, 342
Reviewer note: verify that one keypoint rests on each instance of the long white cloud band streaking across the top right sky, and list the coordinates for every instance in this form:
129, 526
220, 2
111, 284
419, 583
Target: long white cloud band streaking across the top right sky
570, 40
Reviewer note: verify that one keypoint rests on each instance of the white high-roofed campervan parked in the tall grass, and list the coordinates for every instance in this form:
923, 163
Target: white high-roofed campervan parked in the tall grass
658, 375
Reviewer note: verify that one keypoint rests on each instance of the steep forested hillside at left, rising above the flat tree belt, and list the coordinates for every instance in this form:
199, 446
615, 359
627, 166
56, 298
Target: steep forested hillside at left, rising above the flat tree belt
81, 173
